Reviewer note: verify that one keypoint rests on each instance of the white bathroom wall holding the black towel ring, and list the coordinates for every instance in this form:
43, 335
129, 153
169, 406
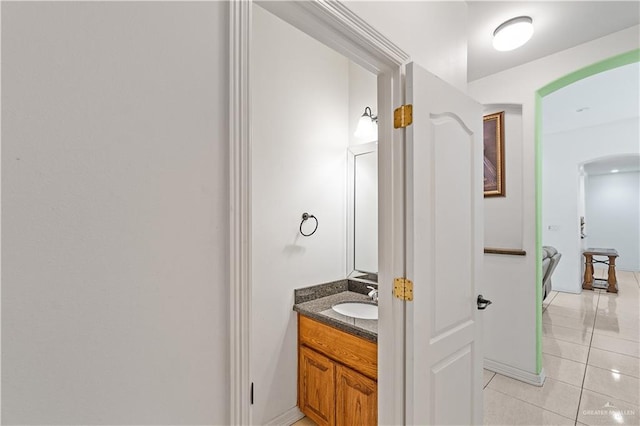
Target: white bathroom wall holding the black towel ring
300, 110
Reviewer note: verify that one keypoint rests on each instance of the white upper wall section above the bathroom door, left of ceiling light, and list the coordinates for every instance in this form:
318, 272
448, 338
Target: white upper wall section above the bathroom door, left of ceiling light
434, 34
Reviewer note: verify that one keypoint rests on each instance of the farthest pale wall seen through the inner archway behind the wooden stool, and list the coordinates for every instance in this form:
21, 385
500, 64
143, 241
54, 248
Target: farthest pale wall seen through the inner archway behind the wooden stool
613, 213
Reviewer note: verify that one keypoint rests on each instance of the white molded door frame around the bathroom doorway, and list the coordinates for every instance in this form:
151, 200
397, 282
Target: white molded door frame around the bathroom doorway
333, 24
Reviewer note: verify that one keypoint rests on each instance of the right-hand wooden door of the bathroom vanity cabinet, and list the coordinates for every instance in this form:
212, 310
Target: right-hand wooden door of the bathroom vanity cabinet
356, 398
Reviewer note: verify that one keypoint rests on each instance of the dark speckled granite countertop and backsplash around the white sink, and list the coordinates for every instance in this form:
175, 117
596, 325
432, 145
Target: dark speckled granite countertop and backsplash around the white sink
316, 302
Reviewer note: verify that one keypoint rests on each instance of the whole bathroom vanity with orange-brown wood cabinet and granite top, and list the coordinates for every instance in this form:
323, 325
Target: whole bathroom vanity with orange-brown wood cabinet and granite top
337, 356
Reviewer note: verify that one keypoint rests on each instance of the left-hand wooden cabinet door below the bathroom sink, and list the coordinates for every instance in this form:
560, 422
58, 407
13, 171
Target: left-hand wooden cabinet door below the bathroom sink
316, 386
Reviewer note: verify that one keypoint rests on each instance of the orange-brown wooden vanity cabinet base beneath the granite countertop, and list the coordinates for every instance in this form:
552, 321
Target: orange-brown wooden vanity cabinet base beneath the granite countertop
337, 375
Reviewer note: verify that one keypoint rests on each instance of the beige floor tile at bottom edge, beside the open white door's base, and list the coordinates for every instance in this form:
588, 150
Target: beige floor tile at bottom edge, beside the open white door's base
501, 409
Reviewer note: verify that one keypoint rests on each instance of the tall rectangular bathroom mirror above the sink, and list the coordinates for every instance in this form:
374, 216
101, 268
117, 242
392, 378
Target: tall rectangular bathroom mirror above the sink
362, 214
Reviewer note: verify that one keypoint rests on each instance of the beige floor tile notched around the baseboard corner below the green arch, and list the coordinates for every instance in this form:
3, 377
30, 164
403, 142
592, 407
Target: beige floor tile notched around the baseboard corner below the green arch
558, 397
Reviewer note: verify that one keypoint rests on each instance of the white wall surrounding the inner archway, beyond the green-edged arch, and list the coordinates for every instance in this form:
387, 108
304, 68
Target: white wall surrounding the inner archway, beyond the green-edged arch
563, 154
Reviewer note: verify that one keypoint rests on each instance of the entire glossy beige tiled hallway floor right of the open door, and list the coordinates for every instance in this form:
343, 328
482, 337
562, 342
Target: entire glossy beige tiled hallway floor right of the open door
591, 356
